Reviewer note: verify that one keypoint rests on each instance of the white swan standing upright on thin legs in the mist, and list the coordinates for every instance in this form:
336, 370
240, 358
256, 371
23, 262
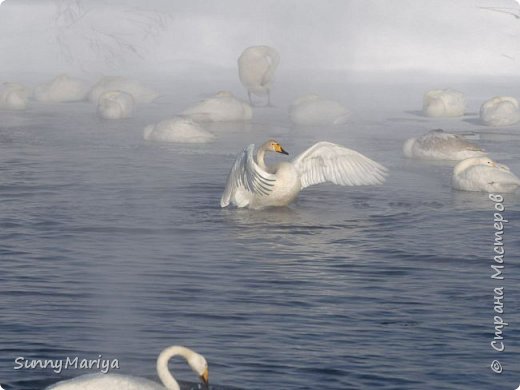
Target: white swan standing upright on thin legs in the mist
256, 67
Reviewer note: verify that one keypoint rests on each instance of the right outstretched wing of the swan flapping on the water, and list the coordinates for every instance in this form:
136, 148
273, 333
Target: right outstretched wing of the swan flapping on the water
326, 161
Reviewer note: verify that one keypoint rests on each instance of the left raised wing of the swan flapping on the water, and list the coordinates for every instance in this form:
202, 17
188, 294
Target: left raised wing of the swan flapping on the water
246, 180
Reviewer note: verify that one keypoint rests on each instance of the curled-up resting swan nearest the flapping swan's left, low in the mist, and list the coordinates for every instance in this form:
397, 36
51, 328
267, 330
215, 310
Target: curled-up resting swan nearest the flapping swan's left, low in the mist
177, 129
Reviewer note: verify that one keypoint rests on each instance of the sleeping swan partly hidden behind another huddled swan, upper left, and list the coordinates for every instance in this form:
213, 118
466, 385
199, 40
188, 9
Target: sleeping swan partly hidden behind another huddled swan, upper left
139, 92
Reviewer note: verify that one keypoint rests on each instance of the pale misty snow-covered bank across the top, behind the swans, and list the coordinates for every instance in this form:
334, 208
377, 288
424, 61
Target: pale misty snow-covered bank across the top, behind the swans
430, 37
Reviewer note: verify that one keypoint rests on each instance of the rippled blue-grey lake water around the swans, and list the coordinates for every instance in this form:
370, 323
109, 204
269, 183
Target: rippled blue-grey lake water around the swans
115, 246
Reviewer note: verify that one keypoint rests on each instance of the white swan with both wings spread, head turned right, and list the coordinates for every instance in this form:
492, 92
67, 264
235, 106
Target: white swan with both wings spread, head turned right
255, 185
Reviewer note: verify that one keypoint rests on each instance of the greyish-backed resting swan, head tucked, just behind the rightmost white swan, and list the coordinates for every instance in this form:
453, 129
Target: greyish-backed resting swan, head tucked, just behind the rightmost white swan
440, 145
